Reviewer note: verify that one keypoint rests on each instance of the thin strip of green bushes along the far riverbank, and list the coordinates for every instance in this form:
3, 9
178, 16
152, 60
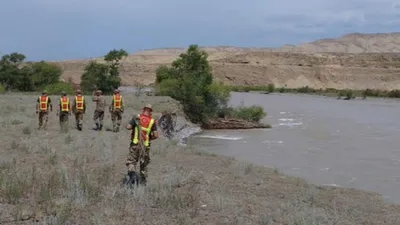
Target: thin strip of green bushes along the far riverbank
328, 91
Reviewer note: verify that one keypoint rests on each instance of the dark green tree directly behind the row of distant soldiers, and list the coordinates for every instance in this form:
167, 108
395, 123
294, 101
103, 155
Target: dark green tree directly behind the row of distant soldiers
103, 76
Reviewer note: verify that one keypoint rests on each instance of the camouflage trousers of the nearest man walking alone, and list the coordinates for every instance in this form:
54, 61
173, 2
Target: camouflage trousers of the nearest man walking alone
134, 157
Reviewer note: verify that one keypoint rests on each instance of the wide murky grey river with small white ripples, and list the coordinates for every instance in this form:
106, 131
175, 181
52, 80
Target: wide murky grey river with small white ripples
327, 141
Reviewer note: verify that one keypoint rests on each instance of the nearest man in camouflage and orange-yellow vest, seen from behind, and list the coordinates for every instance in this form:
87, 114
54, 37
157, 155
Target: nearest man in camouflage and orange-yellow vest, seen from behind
140, 145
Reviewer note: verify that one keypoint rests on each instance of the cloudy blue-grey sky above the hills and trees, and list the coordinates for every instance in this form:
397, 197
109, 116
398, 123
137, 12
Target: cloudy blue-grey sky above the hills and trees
79, 29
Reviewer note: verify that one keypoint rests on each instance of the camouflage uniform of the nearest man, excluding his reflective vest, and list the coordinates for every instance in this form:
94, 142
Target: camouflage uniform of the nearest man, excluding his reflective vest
135, 149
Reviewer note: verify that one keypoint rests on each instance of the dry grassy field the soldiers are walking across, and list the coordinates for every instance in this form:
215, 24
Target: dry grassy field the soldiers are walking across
74, 177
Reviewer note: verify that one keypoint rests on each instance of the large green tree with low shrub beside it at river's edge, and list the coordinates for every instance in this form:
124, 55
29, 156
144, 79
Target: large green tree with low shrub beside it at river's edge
190, 81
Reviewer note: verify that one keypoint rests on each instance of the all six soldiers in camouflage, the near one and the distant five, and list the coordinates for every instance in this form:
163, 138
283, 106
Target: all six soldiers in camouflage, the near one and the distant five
144, 124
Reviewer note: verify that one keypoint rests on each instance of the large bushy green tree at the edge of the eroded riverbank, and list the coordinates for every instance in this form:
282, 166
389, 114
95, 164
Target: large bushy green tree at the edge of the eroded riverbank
189, 80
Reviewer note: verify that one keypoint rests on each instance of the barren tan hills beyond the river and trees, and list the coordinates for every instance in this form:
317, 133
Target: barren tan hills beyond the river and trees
355, 61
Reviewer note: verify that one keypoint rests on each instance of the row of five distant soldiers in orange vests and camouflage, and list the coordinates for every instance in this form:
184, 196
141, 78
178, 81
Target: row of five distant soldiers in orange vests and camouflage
78, 107
